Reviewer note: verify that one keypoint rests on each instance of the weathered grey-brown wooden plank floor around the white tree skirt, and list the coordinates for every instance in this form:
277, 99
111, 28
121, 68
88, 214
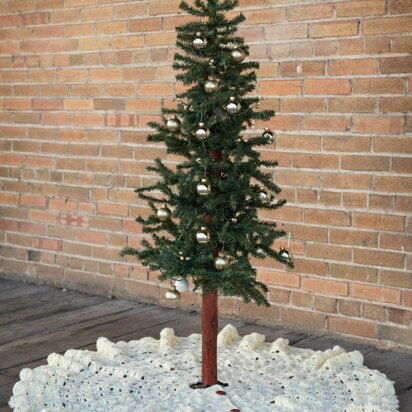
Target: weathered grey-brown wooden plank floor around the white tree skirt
38, 320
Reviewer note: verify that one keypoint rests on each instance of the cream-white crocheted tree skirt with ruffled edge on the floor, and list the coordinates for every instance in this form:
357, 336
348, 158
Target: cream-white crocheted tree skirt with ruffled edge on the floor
154, 375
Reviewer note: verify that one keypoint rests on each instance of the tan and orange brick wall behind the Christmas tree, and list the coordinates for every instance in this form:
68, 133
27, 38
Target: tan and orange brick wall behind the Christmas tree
81, 78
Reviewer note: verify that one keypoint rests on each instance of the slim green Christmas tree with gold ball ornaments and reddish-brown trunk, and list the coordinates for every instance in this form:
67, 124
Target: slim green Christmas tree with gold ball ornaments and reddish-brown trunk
204, 223
